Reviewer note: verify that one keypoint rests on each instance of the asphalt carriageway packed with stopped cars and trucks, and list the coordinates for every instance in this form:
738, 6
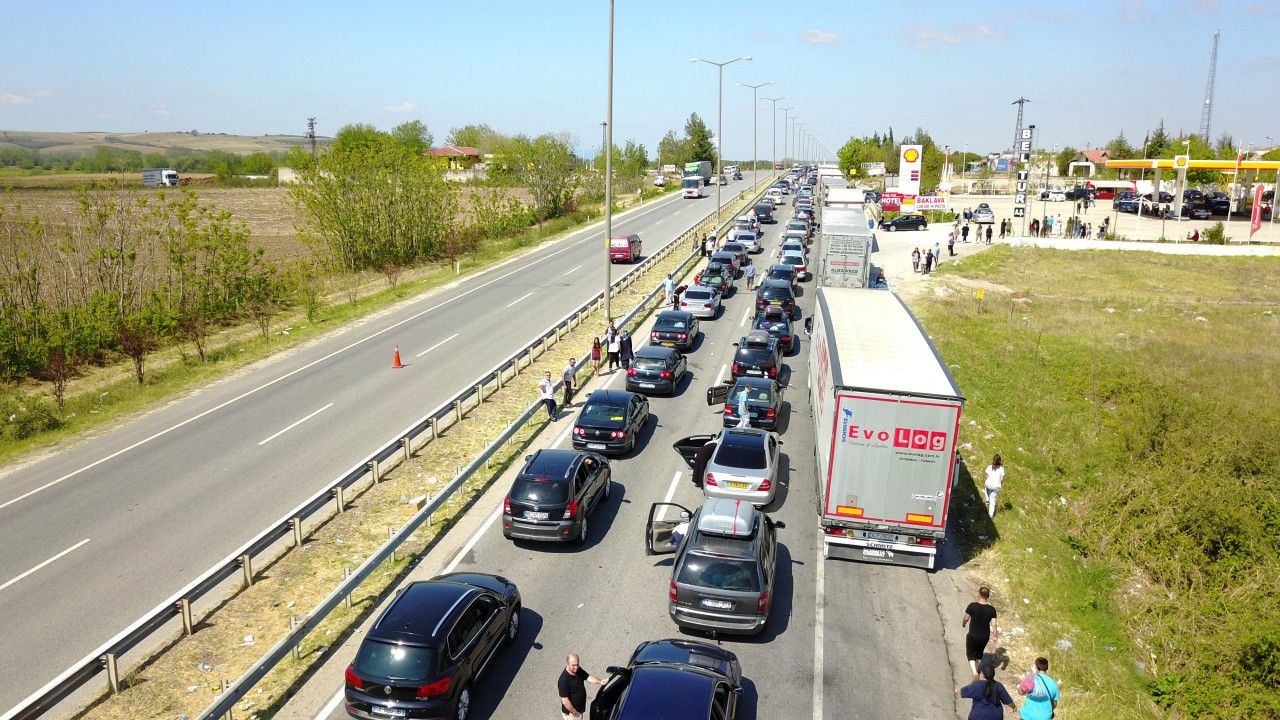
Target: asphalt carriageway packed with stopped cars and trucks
844, 640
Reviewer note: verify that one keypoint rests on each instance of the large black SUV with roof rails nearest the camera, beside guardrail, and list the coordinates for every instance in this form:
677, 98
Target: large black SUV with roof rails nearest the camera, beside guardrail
424, 654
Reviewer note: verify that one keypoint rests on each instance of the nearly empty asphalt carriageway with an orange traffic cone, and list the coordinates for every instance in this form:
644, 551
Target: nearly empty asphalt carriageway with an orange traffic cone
100, 534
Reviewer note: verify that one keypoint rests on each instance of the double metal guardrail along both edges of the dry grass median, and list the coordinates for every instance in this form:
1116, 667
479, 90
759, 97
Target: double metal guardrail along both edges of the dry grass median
333, 499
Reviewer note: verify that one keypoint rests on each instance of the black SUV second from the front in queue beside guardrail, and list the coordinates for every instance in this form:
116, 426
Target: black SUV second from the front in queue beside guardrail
554, 494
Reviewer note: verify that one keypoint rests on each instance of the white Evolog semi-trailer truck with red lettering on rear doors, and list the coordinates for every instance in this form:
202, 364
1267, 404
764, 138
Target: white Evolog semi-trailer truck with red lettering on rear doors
886, 418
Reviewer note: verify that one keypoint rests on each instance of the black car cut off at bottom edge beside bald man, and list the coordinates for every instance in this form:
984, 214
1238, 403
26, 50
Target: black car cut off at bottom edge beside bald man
678, 680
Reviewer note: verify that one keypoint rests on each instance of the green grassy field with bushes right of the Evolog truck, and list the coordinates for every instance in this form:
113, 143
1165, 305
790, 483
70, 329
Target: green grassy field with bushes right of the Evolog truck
1133, 398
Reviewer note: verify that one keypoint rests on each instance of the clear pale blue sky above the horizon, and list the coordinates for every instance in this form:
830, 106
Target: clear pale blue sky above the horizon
848, 69
